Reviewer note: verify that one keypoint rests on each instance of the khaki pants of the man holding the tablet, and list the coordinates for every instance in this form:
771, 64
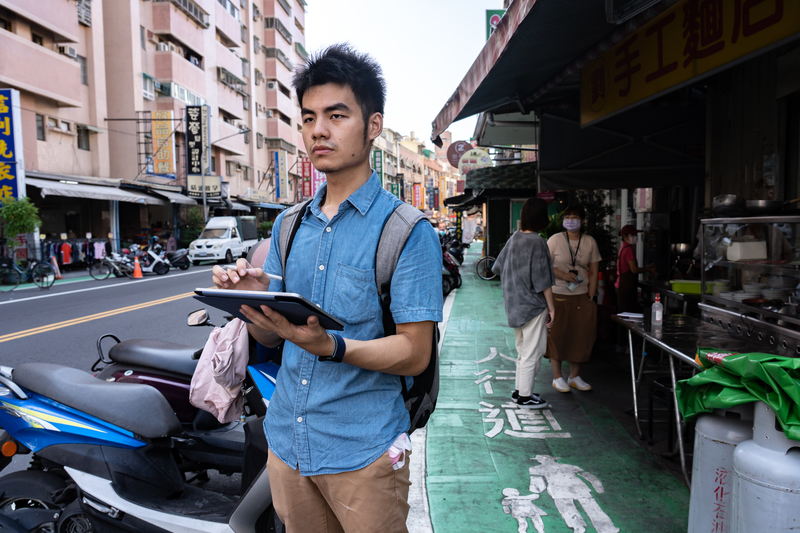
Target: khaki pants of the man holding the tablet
372, 499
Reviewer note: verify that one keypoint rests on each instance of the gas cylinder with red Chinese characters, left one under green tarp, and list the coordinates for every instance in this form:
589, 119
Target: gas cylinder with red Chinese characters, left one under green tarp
716, 437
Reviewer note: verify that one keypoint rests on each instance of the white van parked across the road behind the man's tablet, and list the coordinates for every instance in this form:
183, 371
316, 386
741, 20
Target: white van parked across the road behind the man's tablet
224, 239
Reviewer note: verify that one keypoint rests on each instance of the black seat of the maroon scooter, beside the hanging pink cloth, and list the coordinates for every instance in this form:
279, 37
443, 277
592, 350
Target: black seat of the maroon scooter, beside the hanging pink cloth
155, 354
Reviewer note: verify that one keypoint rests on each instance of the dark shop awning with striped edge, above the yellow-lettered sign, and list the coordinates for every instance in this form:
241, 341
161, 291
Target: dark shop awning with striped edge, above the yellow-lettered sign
533, 42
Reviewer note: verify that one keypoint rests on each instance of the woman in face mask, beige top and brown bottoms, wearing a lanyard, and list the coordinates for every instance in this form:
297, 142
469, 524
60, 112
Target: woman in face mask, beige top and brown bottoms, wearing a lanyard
576, 260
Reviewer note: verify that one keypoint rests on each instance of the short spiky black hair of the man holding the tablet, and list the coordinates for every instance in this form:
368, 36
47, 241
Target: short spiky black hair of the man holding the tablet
341, 65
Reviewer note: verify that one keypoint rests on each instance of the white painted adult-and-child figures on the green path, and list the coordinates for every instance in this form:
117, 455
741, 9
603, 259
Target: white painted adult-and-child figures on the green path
565, 488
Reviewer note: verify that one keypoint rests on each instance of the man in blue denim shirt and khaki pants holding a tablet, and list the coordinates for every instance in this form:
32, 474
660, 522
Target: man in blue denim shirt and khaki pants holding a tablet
337, 423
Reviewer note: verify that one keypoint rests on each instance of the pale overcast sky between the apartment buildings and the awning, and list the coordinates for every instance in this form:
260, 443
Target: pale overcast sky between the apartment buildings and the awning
424, 47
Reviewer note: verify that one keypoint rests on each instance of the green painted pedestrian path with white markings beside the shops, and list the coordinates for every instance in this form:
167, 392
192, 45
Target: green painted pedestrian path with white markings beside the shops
492, 467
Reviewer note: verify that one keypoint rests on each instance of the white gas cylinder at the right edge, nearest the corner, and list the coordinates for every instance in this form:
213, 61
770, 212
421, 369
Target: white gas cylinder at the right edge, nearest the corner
766, 480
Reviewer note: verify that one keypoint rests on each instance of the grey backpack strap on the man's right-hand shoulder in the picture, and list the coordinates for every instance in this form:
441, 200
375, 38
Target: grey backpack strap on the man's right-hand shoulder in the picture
395, 233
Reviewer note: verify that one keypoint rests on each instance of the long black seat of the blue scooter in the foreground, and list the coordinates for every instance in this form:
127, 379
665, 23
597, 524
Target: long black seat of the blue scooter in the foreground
140, 409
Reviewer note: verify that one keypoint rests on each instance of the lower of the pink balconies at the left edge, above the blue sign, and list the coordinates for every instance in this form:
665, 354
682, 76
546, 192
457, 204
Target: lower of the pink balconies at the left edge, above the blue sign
33, 68
